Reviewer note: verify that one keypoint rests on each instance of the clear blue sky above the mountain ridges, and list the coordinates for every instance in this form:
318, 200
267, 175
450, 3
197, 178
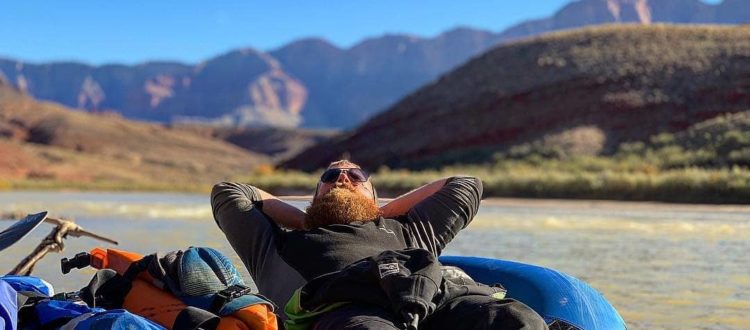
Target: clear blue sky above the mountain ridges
132, 31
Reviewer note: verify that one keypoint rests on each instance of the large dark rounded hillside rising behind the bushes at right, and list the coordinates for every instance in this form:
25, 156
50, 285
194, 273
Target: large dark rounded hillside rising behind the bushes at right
595, 88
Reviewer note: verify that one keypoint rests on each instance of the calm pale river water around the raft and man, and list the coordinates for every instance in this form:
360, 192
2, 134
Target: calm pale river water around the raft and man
662, 266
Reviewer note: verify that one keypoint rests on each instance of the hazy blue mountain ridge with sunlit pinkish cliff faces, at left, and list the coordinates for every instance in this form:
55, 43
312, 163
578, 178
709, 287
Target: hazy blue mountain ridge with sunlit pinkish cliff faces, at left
243, 87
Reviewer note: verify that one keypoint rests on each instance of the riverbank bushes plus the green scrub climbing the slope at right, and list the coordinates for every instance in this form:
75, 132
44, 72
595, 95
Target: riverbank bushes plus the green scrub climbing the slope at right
709, 164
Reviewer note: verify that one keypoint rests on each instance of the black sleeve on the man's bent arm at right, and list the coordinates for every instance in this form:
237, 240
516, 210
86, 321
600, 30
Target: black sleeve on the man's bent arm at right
434, 222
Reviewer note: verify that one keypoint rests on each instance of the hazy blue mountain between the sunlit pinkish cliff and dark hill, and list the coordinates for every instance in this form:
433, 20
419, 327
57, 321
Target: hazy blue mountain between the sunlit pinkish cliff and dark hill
347, 86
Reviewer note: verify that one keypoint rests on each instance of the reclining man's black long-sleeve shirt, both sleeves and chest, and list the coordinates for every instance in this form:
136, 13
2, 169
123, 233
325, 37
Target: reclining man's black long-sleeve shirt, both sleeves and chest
429, 225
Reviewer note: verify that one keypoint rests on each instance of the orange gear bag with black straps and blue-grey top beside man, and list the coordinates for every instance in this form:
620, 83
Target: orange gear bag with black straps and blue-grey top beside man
195, 288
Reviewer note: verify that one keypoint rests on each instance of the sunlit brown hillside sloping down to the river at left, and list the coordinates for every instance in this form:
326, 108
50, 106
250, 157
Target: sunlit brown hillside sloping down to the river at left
40, 140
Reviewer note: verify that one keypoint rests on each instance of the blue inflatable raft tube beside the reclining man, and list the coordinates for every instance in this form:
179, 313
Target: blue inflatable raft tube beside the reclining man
554, 295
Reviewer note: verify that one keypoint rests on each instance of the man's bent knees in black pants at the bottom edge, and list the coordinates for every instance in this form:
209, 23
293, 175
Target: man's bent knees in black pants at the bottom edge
468, 312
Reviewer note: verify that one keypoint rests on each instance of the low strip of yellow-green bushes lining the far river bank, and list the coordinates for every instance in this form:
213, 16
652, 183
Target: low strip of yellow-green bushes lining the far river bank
590, 178
